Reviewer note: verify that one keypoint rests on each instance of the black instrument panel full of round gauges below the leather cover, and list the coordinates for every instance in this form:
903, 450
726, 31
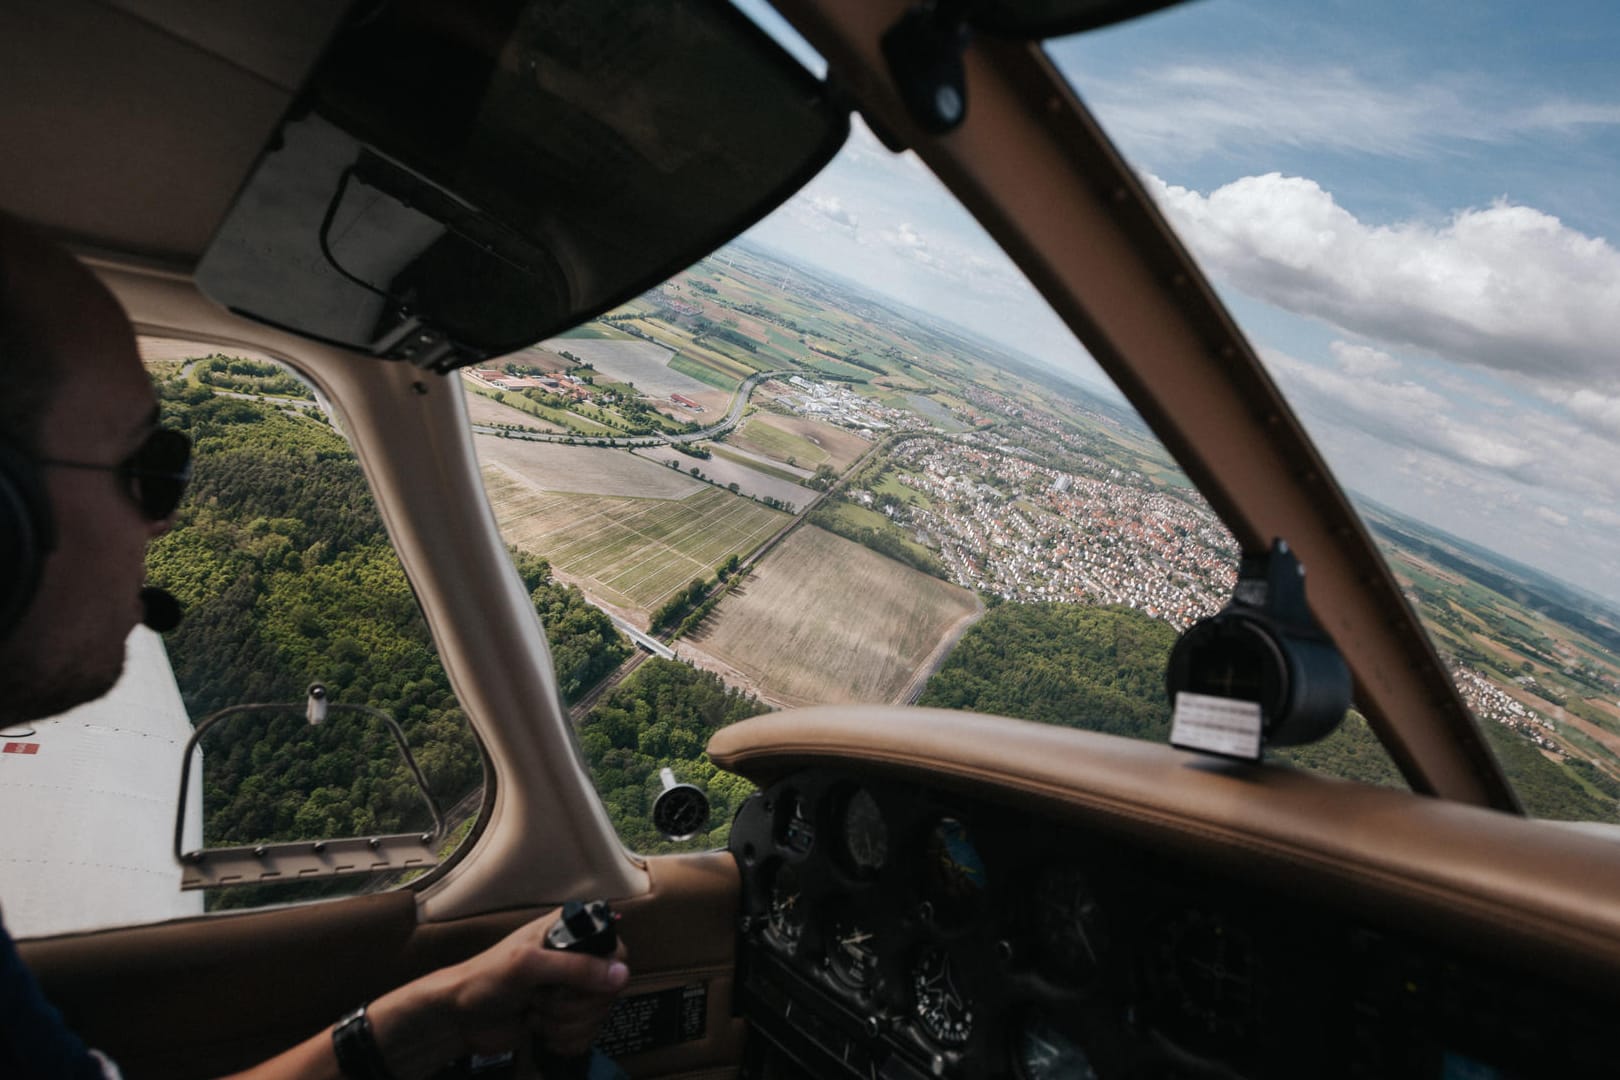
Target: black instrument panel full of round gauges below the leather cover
893, 932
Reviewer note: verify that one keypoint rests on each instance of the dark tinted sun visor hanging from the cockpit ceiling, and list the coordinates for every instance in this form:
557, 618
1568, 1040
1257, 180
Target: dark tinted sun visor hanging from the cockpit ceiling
463, 181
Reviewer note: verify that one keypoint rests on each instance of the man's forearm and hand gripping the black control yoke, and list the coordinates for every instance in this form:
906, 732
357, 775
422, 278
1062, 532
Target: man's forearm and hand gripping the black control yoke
484, 1006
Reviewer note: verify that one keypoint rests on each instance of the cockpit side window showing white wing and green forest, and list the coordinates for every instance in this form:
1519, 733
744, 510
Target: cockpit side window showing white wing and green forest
286, 577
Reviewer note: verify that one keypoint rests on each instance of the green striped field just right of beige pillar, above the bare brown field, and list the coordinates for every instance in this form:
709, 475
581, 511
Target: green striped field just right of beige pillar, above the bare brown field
631, 553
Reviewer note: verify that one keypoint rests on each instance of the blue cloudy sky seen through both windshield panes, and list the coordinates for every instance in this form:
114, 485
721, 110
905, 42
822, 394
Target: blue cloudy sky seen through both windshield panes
1410, 208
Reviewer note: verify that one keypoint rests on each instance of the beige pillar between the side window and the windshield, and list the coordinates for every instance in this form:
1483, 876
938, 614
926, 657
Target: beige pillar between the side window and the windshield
411, 435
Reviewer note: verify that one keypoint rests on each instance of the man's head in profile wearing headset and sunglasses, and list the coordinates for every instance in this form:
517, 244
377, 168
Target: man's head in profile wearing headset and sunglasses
75, 391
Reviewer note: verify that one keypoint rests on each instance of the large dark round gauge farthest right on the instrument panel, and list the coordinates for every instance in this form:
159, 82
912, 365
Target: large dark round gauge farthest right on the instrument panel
1211, 969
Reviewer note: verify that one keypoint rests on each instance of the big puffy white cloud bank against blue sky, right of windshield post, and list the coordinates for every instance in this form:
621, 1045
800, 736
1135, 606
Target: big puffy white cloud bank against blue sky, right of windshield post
1506, 287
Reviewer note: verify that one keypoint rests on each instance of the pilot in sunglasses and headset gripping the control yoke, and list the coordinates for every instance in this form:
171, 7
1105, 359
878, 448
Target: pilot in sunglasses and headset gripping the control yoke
75, 406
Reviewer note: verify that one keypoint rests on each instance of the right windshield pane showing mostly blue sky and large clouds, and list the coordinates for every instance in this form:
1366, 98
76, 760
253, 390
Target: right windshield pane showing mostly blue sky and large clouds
1409, 210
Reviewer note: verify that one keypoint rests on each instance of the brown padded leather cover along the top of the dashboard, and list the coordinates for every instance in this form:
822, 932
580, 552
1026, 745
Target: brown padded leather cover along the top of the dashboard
1541, 891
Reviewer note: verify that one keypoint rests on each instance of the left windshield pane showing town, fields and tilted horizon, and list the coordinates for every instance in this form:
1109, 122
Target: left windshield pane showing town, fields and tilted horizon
848, 459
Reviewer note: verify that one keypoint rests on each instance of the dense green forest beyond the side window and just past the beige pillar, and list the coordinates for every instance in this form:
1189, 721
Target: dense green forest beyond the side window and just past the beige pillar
288, 579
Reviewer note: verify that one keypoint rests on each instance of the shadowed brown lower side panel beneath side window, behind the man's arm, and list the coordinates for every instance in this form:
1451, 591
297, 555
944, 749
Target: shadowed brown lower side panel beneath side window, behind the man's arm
205, 997
